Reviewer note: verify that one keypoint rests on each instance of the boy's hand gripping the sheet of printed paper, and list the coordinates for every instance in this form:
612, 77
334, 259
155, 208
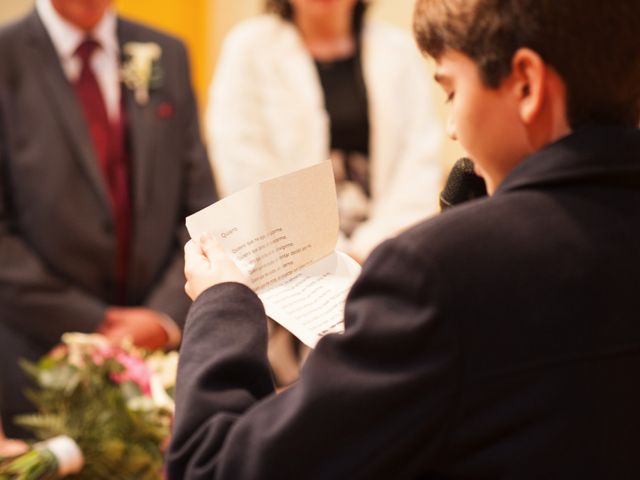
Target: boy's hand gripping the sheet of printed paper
206, 264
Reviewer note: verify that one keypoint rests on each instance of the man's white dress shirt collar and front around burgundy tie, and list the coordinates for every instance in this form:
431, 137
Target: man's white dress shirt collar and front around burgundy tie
105, 62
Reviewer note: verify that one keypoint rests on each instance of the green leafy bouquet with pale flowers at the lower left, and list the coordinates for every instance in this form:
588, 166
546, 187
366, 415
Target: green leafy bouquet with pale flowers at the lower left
82, 400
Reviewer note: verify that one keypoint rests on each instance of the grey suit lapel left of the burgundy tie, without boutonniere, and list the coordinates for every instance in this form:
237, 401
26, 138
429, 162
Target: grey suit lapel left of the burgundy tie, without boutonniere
65, 104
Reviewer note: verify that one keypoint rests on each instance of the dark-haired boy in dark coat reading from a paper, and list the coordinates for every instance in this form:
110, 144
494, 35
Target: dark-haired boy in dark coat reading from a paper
500, 340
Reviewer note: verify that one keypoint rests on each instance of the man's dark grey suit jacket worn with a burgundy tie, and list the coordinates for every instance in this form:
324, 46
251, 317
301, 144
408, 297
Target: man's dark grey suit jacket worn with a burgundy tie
57, 242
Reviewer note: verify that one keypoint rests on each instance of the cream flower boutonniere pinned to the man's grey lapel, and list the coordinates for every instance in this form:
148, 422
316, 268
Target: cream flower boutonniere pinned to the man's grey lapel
141, 70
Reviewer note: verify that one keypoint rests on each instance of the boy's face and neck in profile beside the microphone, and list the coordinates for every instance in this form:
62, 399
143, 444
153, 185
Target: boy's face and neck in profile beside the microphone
486, 121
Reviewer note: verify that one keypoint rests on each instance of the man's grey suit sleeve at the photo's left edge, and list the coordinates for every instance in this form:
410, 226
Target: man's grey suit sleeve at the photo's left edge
33, 300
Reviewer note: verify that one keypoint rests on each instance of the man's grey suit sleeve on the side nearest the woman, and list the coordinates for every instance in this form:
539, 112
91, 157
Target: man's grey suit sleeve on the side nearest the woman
167, 295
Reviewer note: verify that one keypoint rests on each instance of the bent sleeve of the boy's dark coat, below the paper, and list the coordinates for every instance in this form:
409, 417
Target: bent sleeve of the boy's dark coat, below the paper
373, 402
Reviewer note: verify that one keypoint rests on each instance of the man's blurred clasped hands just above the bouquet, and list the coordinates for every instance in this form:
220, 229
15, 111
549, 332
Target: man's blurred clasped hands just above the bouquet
142, 325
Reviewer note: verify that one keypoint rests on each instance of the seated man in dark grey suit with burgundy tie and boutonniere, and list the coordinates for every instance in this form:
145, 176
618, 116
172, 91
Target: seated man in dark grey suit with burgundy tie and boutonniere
96, 177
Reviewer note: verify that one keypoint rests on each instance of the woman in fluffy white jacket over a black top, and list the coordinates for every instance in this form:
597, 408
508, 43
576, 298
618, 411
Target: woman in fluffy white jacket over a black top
270, 112
